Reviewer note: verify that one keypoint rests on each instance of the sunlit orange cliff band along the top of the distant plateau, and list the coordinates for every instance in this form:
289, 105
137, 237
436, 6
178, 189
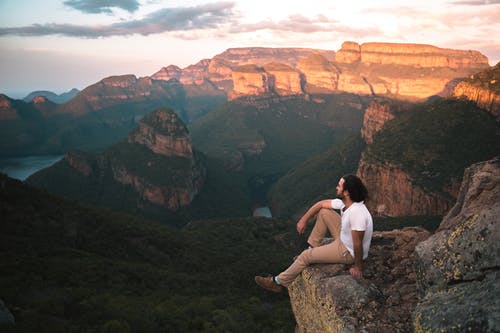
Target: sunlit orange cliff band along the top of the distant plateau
405, 71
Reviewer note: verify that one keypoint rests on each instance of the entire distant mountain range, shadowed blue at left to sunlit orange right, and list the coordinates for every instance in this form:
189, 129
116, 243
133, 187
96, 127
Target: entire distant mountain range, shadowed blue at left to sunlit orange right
105, 112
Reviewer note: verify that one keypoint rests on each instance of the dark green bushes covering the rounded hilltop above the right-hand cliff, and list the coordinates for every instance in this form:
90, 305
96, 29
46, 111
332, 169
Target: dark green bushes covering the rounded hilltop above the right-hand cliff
435, 142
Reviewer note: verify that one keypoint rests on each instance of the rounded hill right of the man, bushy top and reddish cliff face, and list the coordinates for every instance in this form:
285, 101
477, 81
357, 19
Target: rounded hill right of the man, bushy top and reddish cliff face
416, 161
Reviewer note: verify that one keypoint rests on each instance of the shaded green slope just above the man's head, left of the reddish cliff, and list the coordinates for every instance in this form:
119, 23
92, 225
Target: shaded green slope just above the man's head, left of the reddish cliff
315, 179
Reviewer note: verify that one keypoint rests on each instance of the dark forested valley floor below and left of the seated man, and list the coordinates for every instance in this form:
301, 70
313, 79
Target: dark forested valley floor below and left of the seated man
74, 268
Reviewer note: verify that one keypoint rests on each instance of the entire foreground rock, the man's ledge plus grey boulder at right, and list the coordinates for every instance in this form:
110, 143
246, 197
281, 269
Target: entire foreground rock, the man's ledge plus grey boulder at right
447, 282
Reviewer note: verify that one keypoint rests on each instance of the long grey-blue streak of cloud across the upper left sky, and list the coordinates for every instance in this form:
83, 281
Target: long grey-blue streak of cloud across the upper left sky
166, 19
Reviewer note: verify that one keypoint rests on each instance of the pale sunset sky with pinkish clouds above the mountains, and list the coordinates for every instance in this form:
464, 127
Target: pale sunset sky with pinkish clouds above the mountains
59, 45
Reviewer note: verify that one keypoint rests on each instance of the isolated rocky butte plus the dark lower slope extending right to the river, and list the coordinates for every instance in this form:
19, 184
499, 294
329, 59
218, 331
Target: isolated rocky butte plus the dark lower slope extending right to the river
155, 172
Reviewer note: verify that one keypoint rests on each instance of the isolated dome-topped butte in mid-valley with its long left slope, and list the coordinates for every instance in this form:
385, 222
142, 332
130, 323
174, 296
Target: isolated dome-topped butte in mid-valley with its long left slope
154, 170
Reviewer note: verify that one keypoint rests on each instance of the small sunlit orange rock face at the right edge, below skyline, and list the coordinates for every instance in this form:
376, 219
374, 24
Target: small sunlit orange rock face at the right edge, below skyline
484, 89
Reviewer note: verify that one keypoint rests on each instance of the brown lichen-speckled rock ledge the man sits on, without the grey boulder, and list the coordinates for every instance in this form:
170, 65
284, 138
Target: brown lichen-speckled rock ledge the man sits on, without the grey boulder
325, 298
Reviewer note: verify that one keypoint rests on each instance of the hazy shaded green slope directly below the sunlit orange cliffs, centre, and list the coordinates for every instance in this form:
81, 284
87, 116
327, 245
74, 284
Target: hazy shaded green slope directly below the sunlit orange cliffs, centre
288, 131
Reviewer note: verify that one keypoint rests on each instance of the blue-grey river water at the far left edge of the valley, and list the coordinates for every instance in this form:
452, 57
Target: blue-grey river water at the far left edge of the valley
23, 167
